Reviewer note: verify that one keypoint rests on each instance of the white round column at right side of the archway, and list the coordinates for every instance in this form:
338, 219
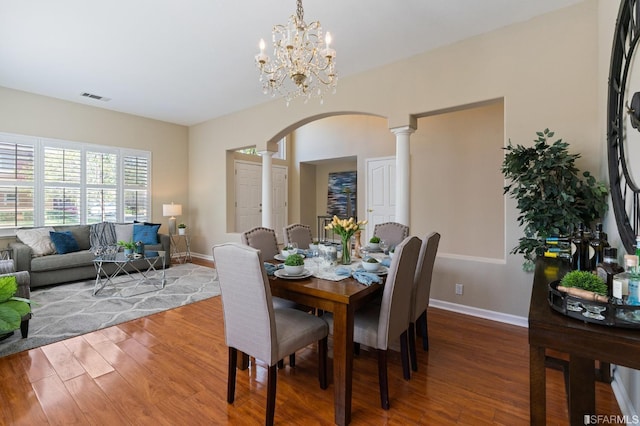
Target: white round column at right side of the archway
403, 173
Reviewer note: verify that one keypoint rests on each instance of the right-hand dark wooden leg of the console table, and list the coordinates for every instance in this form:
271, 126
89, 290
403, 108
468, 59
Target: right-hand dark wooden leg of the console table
582, 392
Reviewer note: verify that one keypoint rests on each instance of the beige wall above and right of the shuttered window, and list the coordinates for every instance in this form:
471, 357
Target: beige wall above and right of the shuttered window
28, 114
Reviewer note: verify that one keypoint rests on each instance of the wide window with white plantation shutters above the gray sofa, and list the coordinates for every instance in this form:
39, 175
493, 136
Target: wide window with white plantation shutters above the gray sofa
51, 182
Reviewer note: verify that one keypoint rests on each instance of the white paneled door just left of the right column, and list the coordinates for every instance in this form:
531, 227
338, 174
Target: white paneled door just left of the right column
381, 200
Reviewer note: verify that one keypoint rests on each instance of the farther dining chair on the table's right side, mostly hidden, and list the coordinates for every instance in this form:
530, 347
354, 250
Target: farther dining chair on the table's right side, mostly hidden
420, 295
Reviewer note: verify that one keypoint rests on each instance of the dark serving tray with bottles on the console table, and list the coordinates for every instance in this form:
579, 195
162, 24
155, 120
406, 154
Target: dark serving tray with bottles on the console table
609, 314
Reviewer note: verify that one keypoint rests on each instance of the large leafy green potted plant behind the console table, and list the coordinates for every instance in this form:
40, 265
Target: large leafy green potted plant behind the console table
552, 198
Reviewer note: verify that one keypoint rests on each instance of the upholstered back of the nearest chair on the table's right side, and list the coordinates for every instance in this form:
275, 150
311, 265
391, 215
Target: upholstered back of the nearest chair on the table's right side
396, 298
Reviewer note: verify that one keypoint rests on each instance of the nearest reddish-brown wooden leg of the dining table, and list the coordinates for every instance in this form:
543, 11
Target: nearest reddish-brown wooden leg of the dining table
342, 362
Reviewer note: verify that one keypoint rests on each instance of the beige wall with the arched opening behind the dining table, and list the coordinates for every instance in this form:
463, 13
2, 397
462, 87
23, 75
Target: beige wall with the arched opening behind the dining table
546, 71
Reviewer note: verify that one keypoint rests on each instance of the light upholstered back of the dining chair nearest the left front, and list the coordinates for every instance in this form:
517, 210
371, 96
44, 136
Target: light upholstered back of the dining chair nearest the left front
249, 323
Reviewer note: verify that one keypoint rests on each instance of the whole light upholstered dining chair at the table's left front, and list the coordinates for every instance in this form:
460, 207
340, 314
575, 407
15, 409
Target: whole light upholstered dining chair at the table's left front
253, 326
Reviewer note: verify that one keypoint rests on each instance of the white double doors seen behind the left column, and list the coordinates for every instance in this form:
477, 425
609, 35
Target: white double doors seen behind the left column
248, 193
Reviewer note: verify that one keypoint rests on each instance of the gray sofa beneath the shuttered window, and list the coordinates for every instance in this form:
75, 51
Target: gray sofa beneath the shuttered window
75, 266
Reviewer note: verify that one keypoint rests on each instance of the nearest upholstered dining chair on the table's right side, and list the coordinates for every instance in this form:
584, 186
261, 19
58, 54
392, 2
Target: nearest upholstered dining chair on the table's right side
379, 325
